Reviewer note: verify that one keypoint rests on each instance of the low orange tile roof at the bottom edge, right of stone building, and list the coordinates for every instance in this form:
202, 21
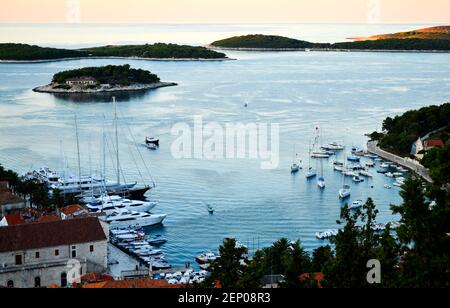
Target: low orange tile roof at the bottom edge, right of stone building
133, 284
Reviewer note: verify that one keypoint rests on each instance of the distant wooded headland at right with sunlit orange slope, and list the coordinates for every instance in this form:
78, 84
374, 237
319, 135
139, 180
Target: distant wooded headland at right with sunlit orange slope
436, 39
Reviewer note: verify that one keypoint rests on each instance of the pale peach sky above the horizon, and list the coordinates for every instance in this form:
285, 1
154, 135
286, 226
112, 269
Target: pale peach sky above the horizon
224, 11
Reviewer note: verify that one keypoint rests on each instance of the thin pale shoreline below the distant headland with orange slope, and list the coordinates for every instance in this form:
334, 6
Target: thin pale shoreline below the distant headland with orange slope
323, 50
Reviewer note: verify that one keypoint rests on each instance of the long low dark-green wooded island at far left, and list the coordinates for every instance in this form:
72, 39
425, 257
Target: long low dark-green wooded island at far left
163, 52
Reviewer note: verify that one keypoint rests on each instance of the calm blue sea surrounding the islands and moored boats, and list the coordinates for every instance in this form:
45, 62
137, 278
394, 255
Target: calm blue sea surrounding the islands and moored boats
343, 95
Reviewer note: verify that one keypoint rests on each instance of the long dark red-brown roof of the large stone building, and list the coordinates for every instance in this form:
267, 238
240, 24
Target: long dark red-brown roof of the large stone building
51, 234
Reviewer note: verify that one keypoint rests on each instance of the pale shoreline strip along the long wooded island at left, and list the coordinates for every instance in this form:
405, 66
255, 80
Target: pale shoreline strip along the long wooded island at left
116, 58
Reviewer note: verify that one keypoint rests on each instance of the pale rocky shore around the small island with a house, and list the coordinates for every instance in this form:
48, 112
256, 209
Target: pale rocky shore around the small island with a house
133, 88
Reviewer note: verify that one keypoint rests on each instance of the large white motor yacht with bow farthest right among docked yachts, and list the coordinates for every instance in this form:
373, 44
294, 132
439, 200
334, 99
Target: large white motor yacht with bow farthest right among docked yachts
127, 219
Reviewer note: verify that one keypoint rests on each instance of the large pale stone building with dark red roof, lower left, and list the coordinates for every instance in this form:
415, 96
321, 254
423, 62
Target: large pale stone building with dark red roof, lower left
52, 253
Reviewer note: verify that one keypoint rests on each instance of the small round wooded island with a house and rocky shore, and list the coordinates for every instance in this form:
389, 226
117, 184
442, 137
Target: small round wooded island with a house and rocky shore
109, 78
